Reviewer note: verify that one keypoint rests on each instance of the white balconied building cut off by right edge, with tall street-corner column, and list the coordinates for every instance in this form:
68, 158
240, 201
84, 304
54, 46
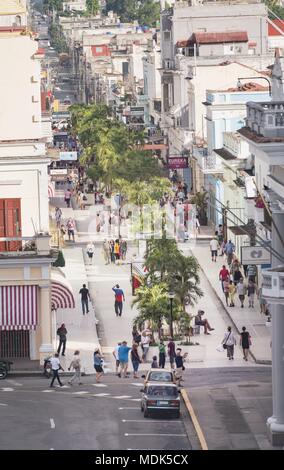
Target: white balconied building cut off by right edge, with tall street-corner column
264, 131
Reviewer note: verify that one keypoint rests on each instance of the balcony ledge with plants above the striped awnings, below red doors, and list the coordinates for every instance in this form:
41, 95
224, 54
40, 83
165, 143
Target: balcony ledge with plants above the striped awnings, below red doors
26, 247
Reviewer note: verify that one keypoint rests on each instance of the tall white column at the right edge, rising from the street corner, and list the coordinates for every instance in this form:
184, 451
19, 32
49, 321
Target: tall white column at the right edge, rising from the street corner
276, 422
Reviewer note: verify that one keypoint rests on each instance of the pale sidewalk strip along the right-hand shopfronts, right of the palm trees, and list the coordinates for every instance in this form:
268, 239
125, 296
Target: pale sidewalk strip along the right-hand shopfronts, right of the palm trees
249, 317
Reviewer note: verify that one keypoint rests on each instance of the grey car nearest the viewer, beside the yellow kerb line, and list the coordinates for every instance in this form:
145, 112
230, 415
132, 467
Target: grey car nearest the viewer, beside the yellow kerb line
160, 397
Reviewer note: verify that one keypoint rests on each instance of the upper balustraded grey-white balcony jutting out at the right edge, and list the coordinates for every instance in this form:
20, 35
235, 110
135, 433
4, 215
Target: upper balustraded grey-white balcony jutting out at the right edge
266, 118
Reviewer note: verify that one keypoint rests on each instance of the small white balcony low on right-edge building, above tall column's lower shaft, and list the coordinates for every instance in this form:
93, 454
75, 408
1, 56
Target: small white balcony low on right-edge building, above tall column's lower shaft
273, 285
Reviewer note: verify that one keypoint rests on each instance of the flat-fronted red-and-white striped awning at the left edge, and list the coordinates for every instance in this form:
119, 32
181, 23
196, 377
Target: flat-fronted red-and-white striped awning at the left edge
18, 307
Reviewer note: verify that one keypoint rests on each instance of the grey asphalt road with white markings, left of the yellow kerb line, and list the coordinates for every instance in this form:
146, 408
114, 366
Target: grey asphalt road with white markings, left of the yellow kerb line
86, 417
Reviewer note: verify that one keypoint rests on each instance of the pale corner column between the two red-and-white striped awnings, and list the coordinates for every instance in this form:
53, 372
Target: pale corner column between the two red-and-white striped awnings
46, 347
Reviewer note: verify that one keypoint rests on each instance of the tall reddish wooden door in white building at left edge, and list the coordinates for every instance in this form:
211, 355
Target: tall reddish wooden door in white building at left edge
10, 223
